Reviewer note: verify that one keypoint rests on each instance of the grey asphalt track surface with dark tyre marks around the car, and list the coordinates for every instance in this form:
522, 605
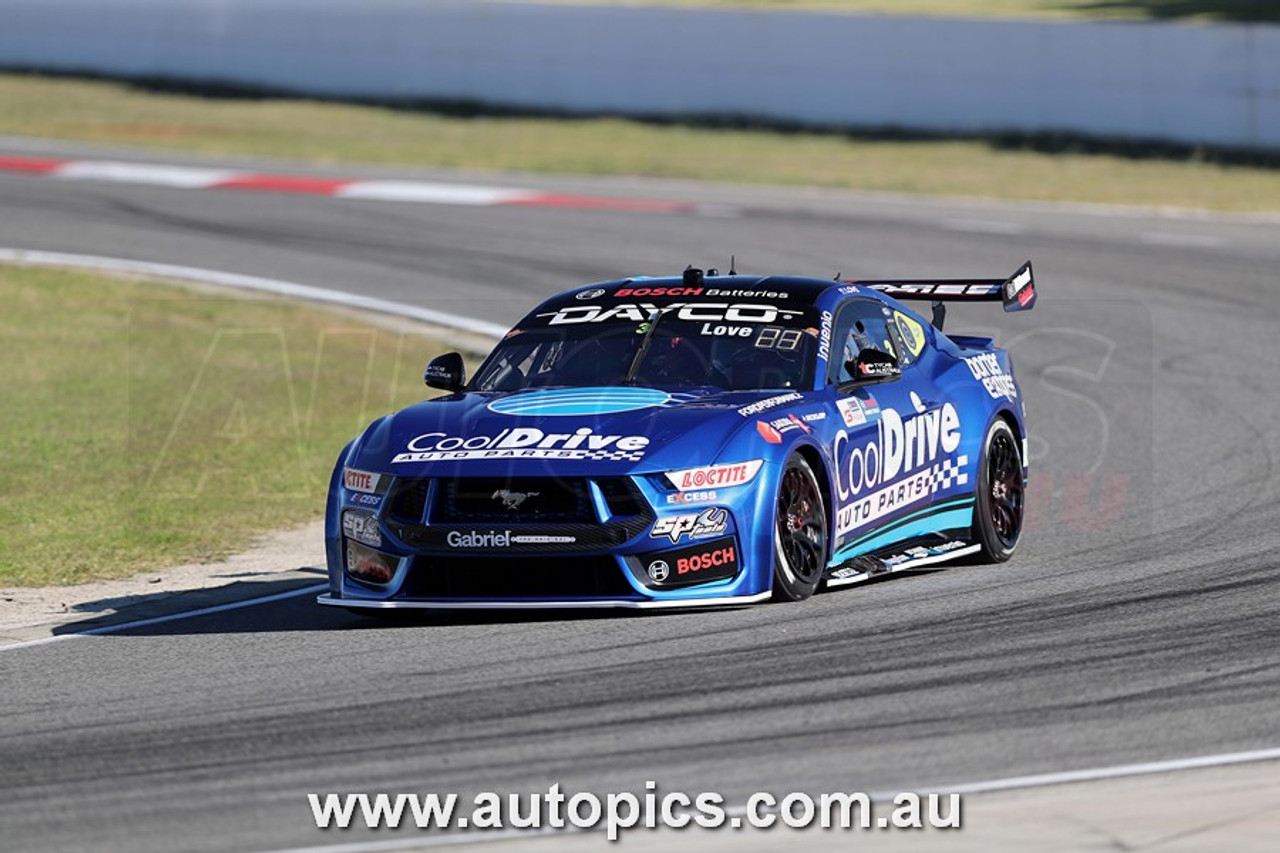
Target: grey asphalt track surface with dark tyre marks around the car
1136, 624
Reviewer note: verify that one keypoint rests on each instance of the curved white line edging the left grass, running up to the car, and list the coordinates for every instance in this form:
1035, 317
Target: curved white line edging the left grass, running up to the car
254, 284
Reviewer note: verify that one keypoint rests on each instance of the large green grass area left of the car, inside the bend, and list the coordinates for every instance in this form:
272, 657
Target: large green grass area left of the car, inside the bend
149, 426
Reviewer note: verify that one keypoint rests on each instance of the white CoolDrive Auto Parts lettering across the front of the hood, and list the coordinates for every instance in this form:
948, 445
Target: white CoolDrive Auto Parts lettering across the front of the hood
525, 443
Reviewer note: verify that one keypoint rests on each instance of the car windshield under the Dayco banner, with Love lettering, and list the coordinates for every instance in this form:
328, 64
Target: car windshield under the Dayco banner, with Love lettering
765, 348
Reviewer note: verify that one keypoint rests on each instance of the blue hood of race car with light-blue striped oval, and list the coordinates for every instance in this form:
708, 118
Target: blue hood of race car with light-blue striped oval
560, 432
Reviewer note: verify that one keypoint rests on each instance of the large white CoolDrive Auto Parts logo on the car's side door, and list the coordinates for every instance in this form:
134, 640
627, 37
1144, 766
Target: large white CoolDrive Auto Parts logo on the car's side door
909, 451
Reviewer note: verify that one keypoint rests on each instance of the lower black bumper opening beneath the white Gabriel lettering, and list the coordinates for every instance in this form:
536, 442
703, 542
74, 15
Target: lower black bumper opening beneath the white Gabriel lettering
449, 577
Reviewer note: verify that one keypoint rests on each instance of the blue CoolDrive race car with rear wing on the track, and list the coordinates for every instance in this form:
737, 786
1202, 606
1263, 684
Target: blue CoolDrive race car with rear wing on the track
691, 441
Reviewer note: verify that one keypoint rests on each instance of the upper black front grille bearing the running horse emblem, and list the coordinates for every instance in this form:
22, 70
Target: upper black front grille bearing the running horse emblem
492, 500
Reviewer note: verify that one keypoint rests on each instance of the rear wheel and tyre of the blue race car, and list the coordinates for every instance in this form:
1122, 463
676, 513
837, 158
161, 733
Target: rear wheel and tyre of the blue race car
1002, 499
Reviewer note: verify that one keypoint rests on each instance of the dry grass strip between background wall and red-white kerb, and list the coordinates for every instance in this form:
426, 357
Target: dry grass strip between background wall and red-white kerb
330, 134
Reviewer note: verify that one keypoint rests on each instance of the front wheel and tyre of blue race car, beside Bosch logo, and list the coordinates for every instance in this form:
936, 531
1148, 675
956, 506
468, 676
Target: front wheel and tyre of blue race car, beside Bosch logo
799, 533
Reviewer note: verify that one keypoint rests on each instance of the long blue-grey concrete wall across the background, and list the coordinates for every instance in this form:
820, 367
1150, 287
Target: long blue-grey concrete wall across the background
1186, 84
